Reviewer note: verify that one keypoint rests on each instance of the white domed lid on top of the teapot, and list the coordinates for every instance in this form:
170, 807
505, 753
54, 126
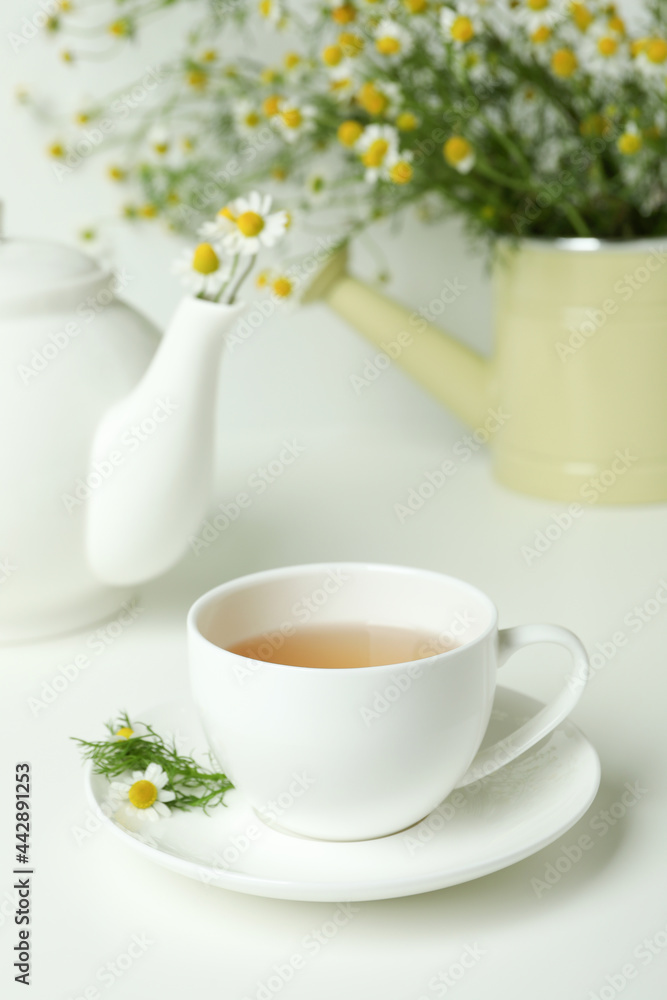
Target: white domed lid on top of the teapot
31, 268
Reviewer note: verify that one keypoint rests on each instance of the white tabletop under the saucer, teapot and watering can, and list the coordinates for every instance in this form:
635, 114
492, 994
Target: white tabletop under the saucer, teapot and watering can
336, 502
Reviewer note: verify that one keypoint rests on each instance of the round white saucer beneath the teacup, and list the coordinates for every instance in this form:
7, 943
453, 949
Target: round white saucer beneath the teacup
506, 817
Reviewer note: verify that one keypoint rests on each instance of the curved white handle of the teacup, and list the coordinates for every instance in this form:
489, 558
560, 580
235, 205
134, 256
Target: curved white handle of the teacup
509, 641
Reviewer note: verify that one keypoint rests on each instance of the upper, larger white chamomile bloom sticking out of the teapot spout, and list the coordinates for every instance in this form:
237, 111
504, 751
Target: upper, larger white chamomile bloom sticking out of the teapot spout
246, 225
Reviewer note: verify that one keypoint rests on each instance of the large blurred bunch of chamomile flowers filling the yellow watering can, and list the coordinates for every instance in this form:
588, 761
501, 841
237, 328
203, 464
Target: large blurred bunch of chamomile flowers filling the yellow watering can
526, 117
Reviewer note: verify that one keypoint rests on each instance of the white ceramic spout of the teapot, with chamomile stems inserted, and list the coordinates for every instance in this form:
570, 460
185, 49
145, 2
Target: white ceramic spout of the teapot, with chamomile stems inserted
153, 452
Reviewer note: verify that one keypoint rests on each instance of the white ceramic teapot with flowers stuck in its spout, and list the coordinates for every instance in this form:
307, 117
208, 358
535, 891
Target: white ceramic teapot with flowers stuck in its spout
106, 440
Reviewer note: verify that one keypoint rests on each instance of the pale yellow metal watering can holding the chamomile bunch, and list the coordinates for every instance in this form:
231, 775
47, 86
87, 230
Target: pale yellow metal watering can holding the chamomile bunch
579, 369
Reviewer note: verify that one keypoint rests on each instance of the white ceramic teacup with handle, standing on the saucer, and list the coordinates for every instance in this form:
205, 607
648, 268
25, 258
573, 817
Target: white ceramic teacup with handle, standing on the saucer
355, 754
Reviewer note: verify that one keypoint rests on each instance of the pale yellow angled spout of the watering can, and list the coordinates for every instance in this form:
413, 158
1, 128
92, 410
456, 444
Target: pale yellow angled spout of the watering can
457, 376
